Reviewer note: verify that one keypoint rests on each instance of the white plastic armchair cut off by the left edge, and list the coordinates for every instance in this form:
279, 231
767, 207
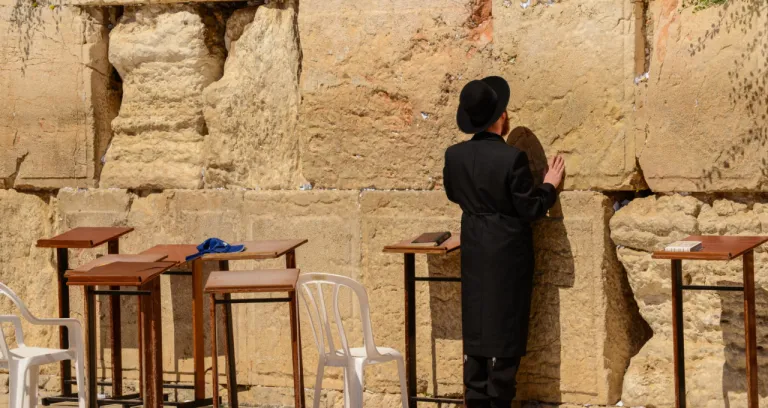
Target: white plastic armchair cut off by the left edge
23, 362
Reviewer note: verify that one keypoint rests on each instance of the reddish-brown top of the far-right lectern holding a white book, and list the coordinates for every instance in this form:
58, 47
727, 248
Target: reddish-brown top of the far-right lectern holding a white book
715, 248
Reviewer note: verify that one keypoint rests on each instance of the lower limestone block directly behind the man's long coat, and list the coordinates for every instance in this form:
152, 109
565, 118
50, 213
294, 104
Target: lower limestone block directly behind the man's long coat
584, 325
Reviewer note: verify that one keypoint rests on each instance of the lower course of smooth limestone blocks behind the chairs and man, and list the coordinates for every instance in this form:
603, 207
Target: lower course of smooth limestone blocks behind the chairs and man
583, 328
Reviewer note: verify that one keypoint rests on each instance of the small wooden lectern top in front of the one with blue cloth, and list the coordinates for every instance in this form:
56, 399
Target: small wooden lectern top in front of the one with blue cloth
262, 280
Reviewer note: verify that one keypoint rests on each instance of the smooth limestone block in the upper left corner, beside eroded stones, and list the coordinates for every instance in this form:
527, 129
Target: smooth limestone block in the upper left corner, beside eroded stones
57, 95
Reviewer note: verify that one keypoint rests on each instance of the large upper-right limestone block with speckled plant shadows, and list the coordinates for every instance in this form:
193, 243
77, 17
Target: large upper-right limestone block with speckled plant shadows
704, 107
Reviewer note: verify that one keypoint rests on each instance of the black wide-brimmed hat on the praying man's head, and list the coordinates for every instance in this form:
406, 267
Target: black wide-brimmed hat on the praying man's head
481, 104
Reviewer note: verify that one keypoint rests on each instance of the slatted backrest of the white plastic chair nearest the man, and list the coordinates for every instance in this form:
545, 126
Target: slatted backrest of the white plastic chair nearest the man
311, 287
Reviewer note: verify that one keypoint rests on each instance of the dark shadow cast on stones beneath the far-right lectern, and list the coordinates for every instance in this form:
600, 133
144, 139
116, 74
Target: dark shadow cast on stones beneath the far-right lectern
732, 324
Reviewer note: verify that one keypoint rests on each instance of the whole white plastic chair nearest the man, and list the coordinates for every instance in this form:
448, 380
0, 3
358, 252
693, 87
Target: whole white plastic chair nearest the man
353, 360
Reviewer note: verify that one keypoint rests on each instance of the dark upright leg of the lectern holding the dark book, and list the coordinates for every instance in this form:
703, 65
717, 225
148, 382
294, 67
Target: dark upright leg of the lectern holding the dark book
410, 327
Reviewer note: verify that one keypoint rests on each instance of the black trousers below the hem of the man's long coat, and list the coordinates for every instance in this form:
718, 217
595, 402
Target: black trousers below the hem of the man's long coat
490, 382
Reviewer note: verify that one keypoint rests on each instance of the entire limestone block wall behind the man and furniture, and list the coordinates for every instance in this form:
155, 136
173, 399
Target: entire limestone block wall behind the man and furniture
207, 119
